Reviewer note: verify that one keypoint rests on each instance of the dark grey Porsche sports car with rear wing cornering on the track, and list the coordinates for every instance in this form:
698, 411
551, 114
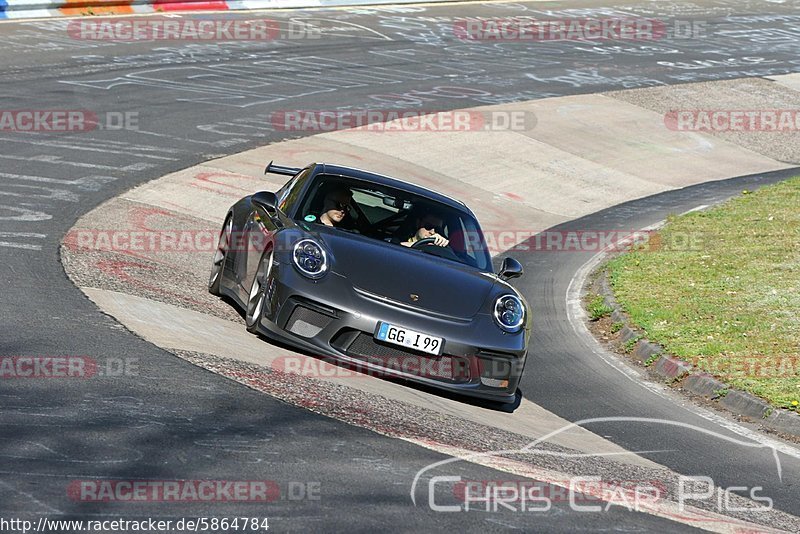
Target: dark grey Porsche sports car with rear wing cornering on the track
378, 273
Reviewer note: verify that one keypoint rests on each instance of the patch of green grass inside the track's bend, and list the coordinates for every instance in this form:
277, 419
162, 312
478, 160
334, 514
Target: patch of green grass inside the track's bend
729, 302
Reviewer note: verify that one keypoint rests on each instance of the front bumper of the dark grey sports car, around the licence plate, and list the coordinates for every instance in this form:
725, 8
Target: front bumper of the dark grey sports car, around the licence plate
332, 319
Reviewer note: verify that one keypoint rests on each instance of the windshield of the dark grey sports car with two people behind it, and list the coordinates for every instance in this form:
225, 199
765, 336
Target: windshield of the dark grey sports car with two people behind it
395, 216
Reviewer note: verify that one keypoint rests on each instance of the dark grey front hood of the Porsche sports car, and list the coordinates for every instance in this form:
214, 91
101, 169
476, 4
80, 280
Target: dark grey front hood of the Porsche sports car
395, 272
